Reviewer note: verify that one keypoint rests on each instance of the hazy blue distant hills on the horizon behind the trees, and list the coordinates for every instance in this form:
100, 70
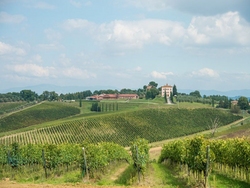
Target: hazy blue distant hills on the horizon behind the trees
234, 94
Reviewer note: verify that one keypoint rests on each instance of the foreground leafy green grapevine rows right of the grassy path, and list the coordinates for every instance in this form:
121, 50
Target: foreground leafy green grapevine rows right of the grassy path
198, 157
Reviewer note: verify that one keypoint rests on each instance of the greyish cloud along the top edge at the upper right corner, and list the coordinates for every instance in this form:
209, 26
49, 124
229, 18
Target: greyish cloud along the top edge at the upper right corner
194, 7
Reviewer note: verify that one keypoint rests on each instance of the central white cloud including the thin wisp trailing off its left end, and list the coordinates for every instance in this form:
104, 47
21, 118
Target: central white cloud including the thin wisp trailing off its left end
130, 34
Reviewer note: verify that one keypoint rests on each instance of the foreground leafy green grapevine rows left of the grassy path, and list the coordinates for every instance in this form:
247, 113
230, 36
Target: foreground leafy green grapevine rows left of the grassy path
53, 160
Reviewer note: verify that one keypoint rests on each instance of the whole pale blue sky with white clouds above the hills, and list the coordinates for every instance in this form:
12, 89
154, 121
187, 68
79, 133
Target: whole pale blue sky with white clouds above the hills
195, 44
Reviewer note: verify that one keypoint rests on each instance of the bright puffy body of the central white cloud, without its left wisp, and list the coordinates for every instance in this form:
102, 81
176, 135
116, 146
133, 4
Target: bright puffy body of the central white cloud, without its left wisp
137, 33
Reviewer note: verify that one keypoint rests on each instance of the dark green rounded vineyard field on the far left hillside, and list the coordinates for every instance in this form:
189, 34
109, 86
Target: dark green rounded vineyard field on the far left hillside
44, 112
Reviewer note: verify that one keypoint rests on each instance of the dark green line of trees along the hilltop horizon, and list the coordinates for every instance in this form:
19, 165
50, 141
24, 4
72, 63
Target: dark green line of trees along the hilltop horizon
149, 91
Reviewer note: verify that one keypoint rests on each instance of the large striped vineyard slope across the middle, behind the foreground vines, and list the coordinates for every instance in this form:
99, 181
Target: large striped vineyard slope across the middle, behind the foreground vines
122, 128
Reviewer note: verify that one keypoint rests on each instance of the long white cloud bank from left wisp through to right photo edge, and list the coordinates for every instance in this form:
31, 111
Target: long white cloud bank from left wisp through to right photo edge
224, 30
